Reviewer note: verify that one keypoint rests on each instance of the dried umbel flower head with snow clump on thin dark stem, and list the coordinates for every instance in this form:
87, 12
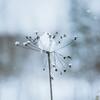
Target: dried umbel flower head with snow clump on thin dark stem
50, 44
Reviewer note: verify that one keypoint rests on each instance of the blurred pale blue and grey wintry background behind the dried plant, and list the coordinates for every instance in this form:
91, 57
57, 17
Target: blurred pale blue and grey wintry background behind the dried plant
21, 74
